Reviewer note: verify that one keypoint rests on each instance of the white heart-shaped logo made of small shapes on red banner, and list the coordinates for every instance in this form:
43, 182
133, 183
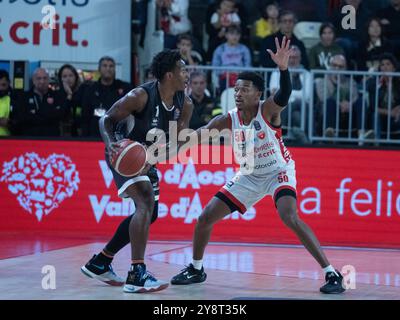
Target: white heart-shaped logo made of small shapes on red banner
40, 185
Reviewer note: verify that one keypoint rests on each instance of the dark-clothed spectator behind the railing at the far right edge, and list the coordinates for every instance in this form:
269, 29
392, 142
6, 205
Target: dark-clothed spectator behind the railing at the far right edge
387, 87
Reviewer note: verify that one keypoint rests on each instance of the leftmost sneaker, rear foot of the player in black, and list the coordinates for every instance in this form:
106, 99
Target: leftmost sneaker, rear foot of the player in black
103, 272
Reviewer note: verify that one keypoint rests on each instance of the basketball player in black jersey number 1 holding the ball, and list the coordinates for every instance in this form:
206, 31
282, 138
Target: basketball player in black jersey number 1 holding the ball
150, 106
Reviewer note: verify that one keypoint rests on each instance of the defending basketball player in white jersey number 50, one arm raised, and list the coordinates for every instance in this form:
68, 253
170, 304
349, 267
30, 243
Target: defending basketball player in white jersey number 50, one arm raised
272, 171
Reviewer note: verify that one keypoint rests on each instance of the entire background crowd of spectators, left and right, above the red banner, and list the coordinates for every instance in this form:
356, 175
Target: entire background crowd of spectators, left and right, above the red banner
239, 33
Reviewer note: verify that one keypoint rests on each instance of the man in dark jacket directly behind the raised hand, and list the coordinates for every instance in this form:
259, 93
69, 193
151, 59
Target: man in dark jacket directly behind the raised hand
287, 21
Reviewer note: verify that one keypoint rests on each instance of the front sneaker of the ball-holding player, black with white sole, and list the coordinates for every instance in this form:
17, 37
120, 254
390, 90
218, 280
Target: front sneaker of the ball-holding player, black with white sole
140, 281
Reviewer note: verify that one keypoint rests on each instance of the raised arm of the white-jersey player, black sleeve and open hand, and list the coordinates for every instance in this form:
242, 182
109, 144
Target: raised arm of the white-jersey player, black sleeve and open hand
274, 105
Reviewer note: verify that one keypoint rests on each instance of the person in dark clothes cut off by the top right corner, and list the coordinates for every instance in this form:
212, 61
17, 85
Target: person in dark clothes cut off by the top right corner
390, 19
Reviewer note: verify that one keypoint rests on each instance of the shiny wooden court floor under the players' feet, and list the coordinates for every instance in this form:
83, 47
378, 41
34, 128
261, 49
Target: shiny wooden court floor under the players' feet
235, 271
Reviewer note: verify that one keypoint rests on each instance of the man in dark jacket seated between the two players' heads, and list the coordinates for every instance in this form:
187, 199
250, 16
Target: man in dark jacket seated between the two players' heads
204, 106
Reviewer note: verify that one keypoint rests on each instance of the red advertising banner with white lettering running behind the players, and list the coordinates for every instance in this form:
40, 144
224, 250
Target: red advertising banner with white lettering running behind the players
348, 197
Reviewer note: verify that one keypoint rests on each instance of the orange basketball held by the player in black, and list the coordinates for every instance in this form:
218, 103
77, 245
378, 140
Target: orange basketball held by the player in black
130, 158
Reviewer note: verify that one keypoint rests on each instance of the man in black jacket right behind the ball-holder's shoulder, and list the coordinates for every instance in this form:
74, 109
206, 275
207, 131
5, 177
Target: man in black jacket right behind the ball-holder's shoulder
100, 96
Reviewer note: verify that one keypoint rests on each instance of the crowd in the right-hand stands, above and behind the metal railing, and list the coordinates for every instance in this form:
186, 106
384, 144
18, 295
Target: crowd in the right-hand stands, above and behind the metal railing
239, 34
